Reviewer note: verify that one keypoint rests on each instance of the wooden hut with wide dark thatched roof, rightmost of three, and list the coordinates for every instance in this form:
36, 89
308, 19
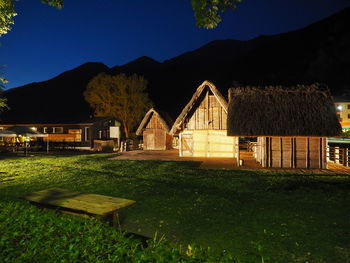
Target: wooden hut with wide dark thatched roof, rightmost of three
291, 123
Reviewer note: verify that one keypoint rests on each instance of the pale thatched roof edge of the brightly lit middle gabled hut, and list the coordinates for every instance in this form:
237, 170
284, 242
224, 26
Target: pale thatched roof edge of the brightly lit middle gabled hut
205, 85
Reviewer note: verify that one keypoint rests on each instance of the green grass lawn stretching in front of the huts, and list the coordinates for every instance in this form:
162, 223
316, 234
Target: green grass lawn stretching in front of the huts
257, 216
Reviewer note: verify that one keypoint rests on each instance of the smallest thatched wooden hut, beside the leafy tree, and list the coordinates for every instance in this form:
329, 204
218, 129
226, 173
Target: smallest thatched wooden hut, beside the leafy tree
155, 128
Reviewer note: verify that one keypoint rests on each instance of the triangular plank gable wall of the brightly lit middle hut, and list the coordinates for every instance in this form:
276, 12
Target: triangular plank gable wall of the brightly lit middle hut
209, 115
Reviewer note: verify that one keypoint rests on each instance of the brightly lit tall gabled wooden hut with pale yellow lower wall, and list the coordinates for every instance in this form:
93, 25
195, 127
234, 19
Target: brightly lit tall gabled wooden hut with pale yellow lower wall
201, 126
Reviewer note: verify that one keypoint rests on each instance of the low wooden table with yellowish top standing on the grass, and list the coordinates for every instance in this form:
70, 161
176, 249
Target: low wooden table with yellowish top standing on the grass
80, 203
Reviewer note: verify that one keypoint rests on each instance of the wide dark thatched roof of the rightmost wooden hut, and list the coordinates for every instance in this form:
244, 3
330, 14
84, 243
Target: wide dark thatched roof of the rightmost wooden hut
282, 111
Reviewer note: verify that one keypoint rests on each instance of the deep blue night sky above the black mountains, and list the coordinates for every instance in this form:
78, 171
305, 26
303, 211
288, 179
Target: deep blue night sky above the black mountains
45, 41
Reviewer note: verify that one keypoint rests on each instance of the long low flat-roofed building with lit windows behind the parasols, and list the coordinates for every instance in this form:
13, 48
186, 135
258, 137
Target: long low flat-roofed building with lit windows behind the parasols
81, 134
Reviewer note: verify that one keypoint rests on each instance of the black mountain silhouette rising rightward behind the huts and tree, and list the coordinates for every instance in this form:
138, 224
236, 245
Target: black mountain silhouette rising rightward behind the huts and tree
319, 52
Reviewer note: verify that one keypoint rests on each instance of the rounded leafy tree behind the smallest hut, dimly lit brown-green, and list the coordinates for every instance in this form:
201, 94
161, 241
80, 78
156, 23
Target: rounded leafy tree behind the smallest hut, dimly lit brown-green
121, 96
